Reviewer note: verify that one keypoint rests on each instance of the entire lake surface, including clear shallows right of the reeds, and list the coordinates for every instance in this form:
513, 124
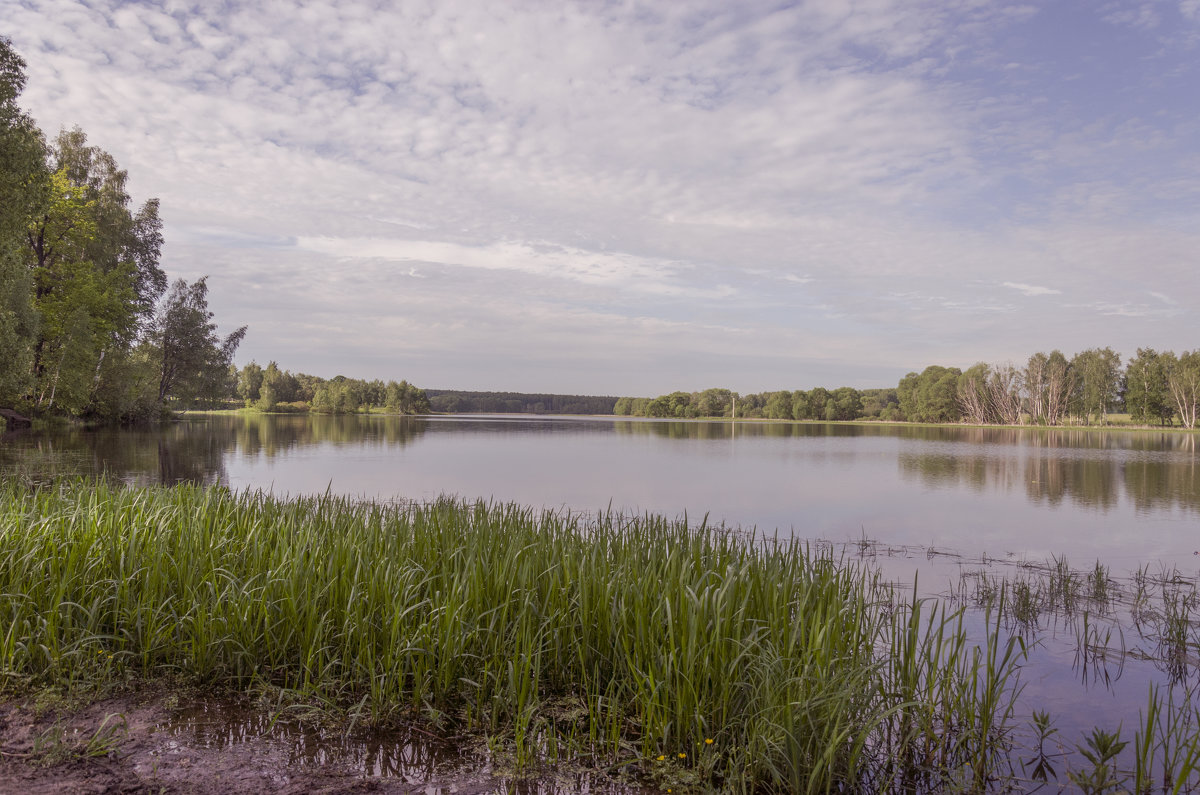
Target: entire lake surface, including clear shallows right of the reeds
958, 505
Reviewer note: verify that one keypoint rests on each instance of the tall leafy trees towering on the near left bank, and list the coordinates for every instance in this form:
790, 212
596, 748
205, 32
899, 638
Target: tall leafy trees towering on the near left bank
89, 324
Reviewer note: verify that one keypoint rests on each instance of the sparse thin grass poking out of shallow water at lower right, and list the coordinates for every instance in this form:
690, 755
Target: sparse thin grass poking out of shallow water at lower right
1159, 608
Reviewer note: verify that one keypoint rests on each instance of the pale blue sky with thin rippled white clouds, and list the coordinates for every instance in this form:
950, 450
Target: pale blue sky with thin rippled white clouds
632, 199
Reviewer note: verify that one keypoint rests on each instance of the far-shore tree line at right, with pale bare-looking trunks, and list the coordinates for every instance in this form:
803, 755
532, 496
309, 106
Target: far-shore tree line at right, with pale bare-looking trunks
1156, 388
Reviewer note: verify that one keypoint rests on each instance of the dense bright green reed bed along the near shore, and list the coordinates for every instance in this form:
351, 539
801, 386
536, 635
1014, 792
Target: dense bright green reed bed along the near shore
673, 653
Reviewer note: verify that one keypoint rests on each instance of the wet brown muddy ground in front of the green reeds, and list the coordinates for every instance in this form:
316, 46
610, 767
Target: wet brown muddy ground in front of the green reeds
161, 740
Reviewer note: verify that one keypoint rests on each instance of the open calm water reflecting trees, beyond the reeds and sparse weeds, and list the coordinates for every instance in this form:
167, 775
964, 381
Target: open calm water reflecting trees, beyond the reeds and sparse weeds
1121, 498
